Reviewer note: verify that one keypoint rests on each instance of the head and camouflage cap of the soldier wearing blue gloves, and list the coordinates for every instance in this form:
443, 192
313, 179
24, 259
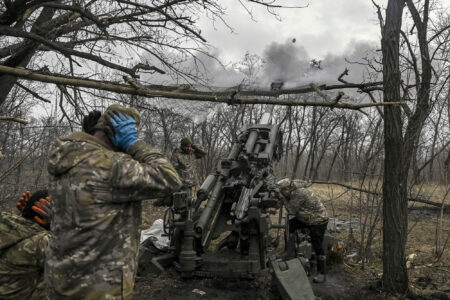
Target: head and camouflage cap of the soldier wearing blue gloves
104, 125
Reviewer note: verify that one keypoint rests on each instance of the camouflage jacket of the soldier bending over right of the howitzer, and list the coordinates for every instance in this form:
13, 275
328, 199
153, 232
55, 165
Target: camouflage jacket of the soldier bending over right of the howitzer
306, 206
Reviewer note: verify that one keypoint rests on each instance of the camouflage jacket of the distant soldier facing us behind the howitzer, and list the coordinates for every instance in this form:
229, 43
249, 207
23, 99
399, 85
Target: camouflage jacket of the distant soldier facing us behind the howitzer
185, 164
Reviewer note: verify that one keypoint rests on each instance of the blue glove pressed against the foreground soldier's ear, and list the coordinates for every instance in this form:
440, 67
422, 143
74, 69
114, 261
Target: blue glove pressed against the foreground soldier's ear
125, 132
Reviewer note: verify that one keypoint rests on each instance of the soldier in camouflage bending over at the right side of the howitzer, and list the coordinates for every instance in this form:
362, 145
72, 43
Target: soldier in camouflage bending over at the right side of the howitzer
305, 210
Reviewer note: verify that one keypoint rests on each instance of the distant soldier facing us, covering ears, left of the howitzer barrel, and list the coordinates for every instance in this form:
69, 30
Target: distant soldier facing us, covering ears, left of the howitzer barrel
183, 159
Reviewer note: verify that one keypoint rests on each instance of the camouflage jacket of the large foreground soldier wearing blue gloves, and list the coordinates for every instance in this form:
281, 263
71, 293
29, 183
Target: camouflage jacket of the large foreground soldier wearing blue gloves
96, 195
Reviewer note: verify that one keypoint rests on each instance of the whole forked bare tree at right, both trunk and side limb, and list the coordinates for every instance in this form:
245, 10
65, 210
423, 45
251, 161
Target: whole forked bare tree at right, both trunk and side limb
401, 142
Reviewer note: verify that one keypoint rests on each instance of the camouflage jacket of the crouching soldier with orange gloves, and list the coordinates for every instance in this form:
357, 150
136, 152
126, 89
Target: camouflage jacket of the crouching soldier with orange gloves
22, 253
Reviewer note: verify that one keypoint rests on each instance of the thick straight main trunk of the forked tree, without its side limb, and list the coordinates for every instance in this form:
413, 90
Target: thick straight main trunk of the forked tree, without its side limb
395, 222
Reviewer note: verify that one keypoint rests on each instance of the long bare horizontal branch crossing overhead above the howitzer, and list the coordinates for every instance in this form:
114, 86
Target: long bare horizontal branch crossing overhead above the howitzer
230, 97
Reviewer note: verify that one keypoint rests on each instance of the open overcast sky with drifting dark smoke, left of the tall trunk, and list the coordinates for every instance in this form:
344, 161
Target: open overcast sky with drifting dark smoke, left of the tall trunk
329, 30
